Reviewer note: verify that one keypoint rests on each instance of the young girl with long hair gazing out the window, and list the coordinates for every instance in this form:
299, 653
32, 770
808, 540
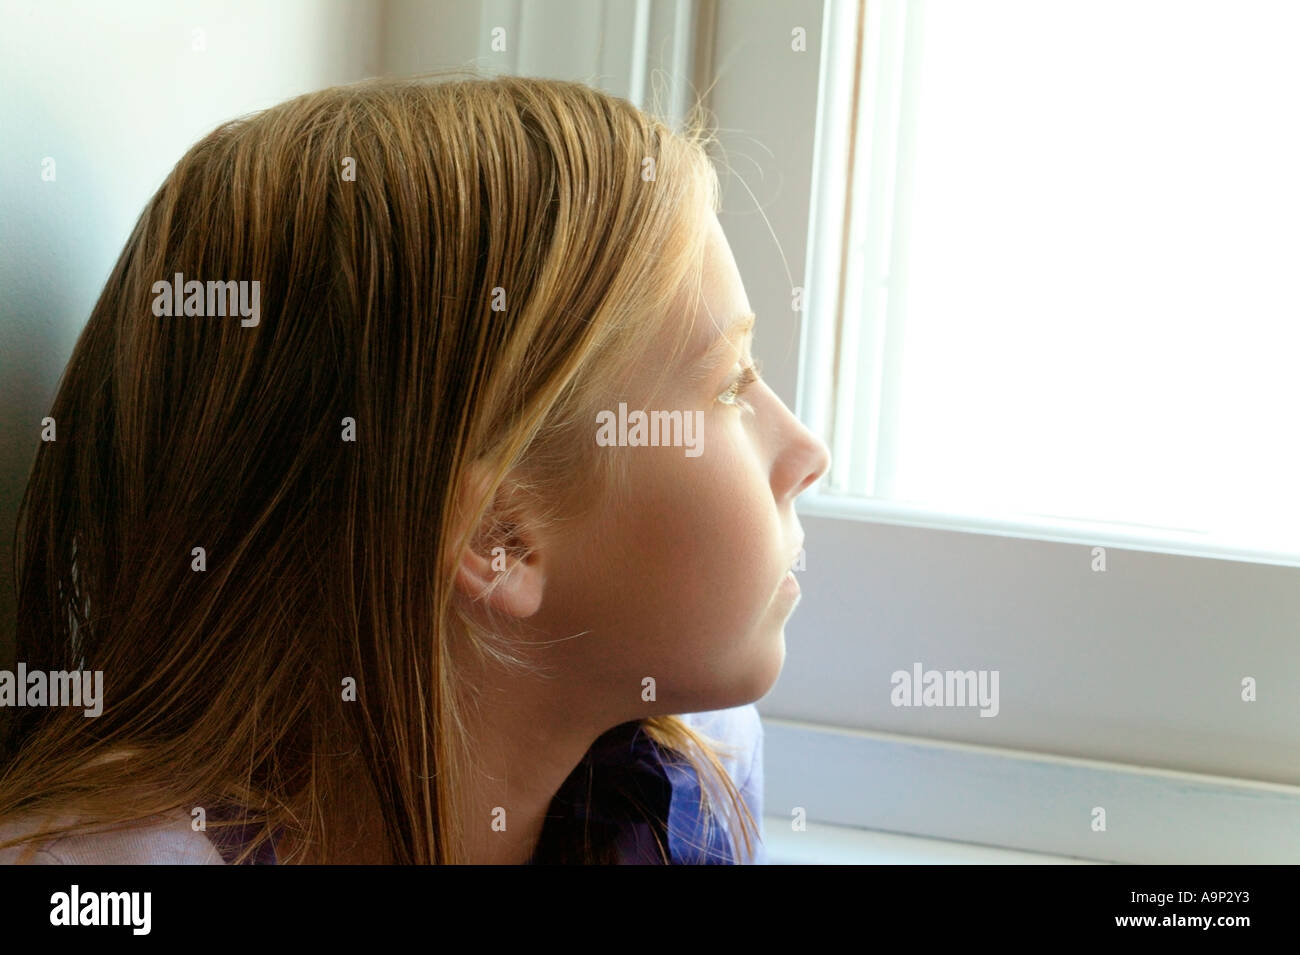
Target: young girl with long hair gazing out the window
410, 475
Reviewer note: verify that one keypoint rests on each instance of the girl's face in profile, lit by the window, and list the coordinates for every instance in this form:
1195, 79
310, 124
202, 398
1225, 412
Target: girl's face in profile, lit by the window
687, 580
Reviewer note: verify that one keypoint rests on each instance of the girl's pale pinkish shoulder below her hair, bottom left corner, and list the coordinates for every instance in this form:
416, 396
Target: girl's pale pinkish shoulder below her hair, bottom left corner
167, 840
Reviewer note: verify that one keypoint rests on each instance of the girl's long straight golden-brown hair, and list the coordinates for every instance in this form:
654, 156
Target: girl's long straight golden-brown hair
319, 459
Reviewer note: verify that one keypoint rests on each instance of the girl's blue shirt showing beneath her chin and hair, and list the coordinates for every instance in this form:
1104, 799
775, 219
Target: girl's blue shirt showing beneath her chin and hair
623, 780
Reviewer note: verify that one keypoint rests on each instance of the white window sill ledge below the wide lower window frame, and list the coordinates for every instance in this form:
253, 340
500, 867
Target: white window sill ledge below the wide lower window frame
861, 788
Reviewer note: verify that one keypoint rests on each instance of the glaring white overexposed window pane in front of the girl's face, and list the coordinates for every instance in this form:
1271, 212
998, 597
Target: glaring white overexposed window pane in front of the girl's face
1061, 301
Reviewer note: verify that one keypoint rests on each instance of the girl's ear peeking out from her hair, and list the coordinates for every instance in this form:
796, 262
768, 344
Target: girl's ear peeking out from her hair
502, 566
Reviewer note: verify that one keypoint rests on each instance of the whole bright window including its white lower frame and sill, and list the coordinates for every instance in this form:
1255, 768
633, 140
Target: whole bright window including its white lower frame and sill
1048, 315
